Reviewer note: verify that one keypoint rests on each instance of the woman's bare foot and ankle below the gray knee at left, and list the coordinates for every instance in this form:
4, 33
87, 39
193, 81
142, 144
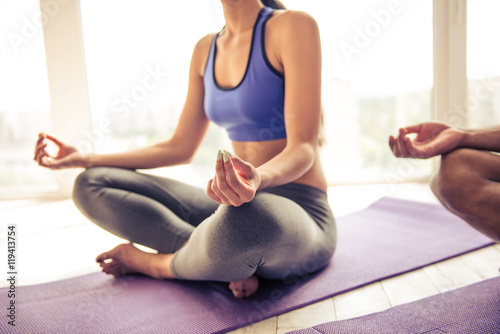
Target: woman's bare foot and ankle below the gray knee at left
127, 259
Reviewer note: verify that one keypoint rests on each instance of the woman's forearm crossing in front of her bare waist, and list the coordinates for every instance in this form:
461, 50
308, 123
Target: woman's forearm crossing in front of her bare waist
293, 162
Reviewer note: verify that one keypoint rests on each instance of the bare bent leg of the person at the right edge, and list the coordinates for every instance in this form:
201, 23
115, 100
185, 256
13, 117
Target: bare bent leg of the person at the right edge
468, 184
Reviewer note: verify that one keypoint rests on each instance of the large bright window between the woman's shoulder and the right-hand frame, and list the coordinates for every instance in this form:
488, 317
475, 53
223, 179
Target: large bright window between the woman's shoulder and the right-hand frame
378, 76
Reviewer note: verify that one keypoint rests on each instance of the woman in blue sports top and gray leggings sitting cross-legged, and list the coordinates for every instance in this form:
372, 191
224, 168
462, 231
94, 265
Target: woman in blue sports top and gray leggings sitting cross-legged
266, 214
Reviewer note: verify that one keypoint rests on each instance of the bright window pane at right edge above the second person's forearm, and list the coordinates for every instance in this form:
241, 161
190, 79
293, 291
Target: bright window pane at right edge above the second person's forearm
483, 63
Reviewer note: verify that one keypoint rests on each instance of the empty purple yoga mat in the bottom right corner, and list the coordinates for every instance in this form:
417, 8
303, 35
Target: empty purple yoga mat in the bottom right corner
470, 310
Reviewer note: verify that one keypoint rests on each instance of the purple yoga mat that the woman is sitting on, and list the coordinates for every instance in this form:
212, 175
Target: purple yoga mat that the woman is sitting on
388, 238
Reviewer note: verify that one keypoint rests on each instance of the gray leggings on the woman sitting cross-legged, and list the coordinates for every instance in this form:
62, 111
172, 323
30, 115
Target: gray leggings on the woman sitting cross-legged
284, 231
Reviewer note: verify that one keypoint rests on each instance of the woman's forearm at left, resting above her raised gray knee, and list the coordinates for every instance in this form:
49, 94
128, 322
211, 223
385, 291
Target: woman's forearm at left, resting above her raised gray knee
158, 155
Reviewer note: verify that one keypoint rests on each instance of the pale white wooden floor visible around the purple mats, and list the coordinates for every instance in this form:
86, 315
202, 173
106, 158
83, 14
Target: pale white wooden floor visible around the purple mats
55, 241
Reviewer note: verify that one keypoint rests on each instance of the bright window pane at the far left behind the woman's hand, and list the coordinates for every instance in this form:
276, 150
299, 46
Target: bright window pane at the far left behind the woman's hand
24, 99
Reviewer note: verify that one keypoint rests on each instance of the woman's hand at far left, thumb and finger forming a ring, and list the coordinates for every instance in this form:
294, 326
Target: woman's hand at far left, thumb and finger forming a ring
66, 157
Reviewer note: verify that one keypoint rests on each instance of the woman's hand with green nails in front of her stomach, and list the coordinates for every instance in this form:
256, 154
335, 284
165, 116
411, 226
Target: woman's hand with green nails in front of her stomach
235, 182
